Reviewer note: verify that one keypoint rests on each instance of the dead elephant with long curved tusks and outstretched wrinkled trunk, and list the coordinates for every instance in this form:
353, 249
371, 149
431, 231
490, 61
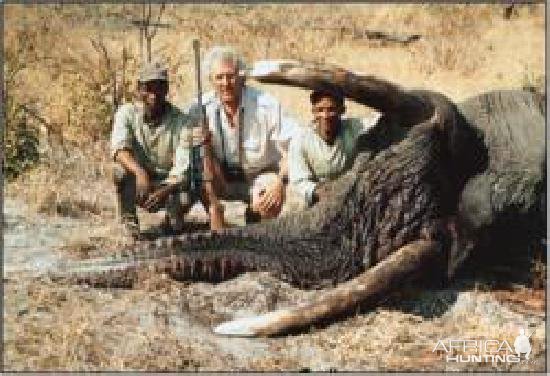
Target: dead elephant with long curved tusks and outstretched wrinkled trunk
457, 173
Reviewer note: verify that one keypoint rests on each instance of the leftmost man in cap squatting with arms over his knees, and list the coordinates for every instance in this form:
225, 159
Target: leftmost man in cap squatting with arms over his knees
148, 144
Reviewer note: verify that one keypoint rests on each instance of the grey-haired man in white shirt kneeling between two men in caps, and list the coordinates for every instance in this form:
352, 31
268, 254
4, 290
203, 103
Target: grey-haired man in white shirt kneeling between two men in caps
249, 134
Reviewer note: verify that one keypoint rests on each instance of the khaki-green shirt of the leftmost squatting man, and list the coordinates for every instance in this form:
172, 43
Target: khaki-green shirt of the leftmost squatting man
163, 149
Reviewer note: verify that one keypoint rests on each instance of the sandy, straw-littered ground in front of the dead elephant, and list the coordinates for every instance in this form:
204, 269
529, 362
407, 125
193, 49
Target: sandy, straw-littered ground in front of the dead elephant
166, 325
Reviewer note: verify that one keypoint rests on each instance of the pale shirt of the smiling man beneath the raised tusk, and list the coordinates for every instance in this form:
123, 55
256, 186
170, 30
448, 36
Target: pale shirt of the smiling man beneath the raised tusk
311, 160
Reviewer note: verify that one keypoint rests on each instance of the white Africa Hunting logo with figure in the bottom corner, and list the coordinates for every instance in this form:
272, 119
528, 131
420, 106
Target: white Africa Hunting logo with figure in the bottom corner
485, 350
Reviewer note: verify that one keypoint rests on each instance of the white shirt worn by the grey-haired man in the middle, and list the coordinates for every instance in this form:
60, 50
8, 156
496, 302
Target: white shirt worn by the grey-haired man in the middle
266, 131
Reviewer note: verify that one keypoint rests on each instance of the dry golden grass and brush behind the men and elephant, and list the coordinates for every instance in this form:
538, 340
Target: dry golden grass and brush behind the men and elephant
80, 61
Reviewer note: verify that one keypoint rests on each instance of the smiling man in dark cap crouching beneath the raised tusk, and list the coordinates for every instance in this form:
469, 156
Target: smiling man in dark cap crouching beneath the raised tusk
324, 150
